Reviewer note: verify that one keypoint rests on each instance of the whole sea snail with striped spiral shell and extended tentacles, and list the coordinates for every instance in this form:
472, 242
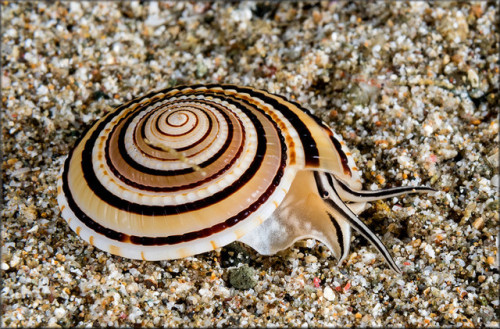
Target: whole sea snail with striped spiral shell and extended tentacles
189, 169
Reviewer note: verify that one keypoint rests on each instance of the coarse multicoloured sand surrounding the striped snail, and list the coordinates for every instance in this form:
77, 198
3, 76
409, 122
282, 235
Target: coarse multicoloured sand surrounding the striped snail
411, 87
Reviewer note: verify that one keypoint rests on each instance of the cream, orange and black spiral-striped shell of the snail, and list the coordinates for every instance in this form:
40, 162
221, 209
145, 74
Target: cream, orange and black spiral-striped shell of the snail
184, 170
